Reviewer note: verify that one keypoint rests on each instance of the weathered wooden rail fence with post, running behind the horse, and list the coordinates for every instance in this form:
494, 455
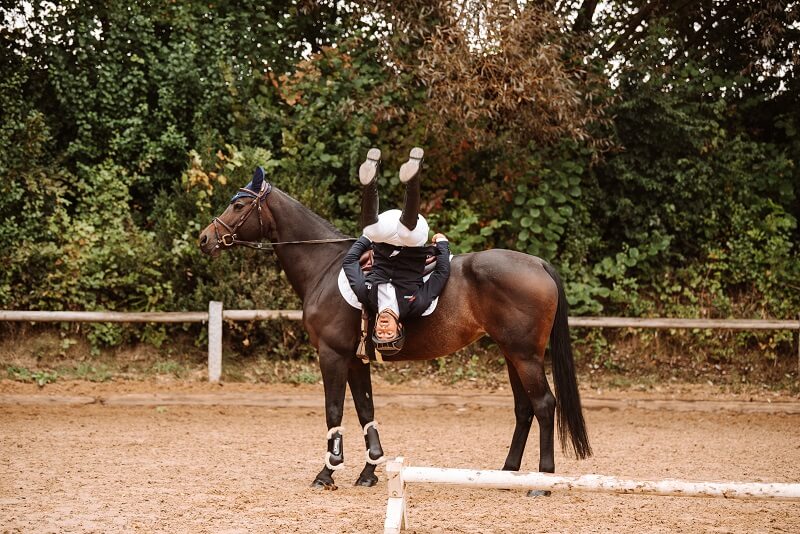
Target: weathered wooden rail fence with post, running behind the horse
216, 315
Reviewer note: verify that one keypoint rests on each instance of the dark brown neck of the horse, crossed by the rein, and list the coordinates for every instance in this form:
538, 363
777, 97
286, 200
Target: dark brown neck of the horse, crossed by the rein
303, 264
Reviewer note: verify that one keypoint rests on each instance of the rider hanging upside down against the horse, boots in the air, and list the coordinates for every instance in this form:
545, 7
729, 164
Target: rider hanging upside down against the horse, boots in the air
395, 290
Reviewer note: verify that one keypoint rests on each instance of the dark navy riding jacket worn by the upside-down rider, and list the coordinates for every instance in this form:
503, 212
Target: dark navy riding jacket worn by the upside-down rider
404, 270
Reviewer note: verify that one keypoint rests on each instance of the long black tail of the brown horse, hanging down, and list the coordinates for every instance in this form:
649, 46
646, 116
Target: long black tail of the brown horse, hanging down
570, 414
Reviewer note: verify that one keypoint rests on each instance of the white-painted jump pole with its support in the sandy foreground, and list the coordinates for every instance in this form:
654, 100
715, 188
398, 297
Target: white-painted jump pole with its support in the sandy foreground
398, 475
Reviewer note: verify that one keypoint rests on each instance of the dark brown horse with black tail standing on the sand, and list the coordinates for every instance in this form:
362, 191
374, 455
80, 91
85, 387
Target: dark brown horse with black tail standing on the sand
516, 299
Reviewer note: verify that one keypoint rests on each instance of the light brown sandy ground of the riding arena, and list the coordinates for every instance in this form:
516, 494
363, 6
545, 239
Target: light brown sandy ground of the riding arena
166, 466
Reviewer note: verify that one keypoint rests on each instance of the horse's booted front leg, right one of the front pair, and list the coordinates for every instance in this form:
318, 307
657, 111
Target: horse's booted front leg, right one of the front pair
361, 387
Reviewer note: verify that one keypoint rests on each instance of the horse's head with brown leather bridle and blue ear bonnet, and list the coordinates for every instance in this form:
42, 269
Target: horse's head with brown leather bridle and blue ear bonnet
246, 219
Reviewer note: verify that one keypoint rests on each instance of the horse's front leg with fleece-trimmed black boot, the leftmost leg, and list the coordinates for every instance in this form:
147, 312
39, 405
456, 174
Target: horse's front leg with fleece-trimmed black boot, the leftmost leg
333, 365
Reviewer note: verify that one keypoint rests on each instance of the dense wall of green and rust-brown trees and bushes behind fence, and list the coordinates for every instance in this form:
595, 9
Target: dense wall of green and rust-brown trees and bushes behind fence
664, 182
